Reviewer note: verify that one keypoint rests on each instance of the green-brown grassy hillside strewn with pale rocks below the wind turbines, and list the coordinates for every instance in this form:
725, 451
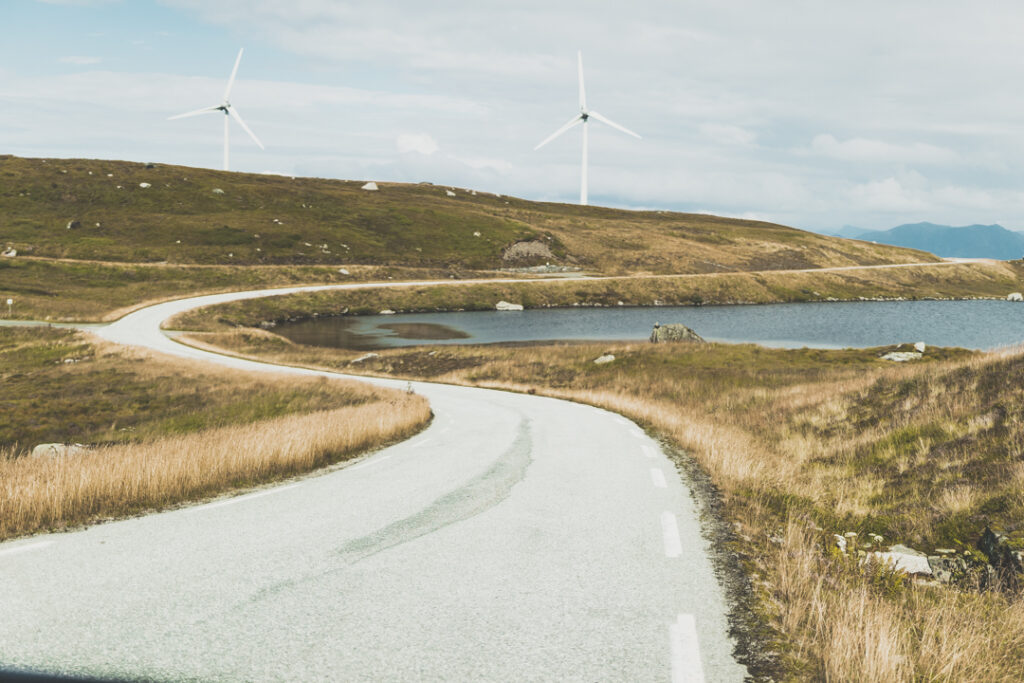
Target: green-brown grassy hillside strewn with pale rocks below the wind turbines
88, 209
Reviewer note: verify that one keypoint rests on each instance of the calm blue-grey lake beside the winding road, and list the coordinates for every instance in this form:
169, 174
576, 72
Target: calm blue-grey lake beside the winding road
979, 325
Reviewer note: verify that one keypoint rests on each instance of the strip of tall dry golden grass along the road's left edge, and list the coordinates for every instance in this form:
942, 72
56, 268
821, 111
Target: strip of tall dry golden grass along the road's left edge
41, 494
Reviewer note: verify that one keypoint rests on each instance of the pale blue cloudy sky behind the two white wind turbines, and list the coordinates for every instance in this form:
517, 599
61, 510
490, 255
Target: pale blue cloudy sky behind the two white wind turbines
809, 113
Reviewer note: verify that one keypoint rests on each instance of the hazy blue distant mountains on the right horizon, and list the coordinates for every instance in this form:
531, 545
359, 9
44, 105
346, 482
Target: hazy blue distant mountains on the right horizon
965, 242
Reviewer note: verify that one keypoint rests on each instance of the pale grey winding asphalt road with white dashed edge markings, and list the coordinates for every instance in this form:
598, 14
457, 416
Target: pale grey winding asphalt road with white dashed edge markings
520, 538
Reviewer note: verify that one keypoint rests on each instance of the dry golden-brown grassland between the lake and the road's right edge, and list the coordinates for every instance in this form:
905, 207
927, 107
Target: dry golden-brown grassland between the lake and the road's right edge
803, 445
